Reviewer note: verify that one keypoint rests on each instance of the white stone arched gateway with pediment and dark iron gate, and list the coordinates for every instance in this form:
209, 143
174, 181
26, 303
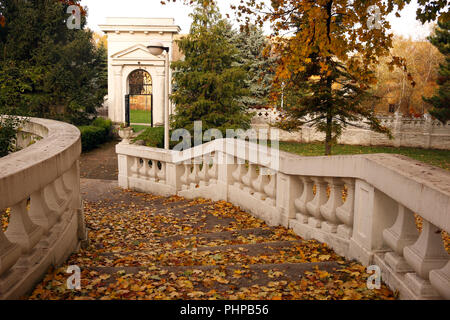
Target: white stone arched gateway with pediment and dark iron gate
136, 78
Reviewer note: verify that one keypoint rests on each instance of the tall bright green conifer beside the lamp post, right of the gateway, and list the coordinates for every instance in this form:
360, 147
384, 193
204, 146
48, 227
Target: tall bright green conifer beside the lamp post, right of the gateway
209, 84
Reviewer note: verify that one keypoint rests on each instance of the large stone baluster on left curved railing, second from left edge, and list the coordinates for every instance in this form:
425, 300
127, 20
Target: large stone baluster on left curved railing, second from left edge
22, 230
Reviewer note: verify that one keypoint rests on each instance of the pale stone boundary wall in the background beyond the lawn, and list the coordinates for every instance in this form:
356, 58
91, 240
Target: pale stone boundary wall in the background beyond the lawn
408, 132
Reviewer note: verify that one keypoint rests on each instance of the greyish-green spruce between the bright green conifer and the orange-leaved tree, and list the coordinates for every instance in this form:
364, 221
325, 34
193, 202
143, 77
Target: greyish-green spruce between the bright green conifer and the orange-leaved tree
251, 44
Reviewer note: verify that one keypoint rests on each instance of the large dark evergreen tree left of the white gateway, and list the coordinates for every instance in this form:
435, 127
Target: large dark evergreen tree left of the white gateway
59, 72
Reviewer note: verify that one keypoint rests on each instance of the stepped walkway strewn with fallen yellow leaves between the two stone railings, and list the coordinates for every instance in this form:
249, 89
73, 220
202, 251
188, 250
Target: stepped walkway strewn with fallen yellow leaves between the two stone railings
150, 247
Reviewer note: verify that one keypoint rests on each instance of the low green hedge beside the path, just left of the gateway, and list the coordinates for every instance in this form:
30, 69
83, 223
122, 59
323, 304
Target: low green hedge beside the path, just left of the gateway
97, 133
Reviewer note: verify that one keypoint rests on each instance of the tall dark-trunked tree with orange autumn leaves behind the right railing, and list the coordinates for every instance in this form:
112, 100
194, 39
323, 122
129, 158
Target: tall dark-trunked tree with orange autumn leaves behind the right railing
327, 63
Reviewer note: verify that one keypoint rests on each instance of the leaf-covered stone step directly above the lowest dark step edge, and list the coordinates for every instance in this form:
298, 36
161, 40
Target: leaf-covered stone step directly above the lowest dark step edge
246, 254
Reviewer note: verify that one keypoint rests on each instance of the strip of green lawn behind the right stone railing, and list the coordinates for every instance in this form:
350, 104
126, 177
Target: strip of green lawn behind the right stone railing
439, 158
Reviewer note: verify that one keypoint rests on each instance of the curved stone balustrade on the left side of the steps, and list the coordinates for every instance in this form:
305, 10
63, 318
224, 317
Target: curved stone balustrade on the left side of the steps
40, 187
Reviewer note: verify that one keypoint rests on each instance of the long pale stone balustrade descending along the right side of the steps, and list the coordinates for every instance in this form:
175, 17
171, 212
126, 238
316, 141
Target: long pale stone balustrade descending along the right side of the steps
362, 206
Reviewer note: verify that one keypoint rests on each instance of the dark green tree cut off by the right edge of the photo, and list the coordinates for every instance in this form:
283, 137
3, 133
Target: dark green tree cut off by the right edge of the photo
441, 99
